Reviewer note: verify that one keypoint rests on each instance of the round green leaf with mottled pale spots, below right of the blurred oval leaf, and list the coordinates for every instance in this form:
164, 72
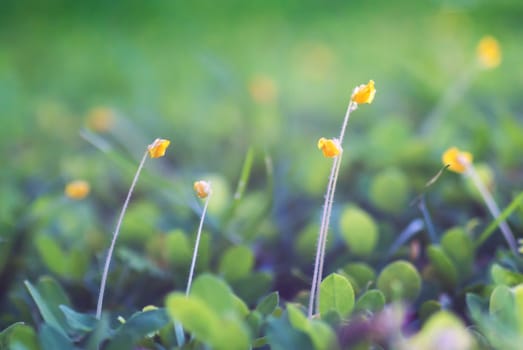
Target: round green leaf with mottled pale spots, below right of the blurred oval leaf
399, 280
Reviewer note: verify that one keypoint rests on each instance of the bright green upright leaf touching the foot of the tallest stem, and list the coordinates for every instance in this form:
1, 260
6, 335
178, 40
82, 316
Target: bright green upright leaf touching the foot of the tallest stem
336, 295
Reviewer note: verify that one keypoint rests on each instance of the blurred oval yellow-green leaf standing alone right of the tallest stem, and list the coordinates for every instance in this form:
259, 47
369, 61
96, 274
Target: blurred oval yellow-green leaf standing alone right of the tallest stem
358, 230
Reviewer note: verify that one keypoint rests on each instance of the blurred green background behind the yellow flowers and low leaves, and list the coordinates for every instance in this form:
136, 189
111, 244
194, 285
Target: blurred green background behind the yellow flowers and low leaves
86, 86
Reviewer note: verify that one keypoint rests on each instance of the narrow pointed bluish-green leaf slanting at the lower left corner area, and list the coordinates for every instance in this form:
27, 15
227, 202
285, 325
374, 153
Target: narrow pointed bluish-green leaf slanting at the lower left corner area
48, 309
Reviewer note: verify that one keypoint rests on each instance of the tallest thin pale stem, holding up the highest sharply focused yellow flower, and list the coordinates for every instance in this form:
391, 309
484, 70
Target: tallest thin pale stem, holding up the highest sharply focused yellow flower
324, 228
